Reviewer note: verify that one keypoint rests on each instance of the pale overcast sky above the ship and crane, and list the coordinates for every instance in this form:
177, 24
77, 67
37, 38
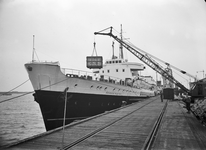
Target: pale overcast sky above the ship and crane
172, 30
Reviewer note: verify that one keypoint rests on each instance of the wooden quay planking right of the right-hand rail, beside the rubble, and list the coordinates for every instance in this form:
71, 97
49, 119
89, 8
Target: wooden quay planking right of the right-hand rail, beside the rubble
177, 133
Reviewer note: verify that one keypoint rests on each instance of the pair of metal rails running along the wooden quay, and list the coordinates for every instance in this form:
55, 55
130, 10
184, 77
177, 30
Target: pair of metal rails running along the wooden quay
149, 140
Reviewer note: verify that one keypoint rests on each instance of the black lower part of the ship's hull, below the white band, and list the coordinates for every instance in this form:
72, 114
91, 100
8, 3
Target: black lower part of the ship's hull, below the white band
78, 106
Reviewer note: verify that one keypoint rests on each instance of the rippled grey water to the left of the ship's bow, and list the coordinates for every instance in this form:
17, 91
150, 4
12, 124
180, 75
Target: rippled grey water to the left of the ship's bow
20, 118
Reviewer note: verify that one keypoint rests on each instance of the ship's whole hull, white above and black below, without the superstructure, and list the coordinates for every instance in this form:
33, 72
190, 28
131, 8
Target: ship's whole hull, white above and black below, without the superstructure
86, 95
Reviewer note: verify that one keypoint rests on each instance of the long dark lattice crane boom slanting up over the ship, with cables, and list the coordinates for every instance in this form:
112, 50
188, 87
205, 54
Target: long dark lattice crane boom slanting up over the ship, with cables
147, 59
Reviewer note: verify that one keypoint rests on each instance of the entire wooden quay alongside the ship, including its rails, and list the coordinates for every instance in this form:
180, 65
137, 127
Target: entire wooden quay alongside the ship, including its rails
127, 128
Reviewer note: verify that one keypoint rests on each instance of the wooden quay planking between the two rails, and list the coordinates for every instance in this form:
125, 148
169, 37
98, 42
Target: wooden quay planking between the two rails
128, 133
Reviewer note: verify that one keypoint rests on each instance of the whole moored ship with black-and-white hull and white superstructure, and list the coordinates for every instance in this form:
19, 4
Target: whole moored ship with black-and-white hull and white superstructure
65, 95
